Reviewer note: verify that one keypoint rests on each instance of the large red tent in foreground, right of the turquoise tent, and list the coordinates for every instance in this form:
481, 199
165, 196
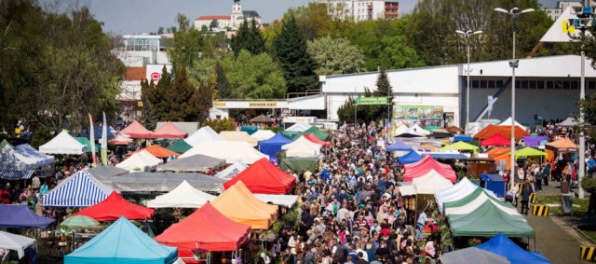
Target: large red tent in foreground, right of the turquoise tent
205, 229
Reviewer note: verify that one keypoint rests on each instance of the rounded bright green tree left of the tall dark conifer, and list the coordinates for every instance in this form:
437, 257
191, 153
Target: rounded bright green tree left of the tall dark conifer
255, 76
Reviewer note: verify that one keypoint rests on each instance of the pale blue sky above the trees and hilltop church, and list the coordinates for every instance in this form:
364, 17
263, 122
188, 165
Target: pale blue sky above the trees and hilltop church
144, 16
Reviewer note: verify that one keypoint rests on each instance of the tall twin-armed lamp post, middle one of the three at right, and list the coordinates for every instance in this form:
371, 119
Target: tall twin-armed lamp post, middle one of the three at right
513, 64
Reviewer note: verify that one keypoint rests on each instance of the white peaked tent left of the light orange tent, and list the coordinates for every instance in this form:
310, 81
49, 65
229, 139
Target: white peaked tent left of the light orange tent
183, 196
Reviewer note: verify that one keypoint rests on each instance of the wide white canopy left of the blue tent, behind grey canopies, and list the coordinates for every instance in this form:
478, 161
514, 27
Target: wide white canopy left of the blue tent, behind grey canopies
231, 151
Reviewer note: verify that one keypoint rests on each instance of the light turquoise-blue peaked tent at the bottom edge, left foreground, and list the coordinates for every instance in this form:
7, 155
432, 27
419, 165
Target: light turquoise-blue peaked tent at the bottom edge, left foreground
122, 242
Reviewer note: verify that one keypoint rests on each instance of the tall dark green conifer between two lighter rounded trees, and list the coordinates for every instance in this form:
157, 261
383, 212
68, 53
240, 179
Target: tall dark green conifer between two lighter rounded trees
290, 50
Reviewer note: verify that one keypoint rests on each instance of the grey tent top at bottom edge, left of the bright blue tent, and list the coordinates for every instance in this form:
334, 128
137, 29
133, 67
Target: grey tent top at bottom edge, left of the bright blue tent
472, 255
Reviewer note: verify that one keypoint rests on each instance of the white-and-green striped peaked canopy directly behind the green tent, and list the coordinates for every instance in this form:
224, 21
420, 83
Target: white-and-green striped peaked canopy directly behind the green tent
475, 200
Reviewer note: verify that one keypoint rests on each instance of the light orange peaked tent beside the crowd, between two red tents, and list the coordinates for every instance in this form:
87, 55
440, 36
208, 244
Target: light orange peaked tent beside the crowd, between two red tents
241, 206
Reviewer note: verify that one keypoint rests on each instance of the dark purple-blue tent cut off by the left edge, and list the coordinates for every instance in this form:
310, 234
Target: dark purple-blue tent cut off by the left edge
20, 216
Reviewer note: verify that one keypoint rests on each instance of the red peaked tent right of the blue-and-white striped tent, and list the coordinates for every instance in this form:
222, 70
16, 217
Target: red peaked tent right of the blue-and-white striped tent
115, 207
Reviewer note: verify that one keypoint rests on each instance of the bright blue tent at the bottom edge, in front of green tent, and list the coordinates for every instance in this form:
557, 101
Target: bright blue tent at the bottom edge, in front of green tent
501, 245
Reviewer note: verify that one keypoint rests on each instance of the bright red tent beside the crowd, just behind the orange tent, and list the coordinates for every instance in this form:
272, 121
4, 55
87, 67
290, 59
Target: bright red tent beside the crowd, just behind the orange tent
264, 177
